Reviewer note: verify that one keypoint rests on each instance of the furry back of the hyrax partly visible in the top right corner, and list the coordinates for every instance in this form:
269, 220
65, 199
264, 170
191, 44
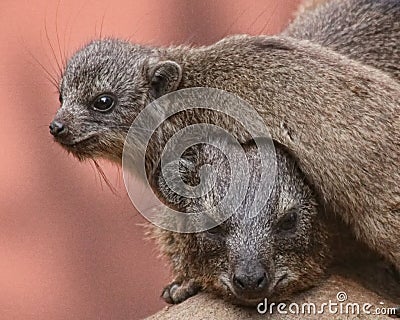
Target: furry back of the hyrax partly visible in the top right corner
364, 30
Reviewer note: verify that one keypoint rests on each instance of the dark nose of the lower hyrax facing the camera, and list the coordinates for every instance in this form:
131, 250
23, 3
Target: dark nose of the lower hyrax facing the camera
250, 279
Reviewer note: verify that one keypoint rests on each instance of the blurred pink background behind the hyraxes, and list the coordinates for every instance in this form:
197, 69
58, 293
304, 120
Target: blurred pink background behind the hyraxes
69, 248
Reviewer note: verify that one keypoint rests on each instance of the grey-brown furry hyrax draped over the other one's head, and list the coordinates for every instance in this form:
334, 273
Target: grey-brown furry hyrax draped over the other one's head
338, 117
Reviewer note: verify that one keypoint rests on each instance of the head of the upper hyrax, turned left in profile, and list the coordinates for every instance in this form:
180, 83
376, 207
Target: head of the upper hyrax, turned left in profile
103, 88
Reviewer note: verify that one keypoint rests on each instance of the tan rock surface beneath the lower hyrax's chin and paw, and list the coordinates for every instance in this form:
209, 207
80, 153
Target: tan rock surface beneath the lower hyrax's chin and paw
204, 306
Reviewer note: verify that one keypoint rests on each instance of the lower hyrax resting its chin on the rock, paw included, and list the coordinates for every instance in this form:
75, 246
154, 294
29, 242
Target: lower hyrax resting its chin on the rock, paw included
290, 246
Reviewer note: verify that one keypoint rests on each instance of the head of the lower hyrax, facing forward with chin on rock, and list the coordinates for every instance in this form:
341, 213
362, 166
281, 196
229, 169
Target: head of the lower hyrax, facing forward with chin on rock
245, 259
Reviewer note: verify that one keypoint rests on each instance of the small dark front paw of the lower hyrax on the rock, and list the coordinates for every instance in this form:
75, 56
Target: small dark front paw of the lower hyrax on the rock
176, 292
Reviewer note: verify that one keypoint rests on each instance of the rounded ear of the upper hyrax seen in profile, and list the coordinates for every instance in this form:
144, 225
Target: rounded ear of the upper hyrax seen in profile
164, 77
